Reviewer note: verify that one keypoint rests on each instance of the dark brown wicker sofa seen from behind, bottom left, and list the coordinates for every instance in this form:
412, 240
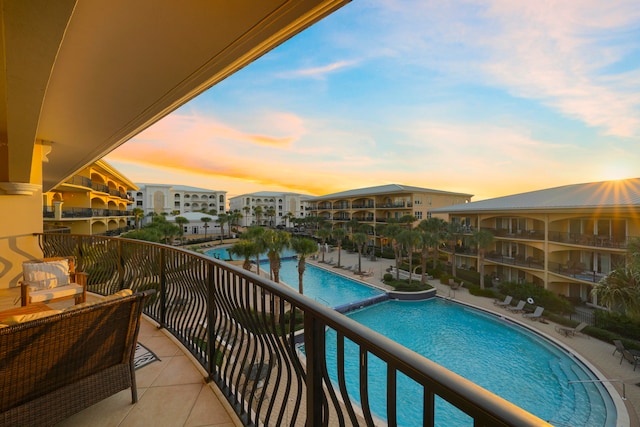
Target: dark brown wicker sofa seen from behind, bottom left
53, 367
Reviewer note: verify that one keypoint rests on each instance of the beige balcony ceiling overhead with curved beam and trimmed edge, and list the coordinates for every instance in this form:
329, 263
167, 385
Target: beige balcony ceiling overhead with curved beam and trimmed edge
85, 76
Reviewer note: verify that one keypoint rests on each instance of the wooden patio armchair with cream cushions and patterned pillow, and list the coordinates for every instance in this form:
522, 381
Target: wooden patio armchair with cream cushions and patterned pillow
52, 279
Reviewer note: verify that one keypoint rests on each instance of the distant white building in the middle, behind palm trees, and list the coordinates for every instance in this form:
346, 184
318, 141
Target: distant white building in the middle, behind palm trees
269, 207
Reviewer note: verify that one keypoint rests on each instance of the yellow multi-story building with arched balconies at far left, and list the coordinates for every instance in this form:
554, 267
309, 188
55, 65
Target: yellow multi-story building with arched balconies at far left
93, 201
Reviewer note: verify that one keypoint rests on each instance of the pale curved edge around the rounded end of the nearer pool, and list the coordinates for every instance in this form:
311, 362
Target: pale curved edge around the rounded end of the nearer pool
623, 418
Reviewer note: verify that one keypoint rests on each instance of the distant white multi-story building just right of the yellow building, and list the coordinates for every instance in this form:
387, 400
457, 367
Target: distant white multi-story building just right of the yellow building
178, 199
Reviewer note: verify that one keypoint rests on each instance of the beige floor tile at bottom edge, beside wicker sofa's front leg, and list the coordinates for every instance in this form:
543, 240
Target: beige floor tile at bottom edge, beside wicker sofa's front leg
168, 406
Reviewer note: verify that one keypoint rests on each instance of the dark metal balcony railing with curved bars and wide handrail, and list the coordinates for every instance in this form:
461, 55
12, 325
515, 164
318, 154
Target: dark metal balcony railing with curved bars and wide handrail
245, 332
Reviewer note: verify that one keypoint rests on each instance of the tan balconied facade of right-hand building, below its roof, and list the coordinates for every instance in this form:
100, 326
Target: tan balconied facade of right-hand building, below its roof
566, 252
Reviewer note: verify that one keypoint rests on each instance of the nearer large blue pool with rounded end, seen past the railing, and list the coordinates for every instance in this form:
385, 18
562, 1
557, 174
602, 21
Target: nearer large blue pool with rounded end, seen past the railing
496, 354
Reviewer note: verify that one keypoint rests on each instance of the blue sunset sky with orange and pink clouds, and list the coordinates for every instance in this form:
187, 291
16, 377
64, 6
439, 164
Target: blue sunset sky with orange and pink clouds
488, 98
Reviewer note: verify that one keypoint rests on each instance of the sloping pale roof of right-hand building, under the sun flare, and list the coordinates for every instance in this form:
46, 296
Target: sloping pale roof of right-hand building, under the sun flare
612, 194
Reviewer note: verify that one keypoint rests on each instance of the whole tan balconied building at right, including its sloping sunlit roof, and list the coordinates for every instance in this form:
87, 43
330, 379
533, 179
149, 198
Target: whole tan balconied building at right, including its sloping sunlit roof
564, 239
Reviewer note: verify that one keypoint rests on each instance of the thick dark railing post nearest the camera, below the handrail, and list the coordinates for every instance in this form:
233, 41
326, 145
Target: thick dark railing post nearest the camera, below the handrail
315, 351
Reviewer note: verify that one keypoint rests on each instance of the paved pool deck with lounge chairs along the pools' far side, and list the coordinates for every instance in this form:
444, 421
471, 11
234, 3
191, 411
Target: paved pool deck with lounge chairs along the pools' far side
594, 352
